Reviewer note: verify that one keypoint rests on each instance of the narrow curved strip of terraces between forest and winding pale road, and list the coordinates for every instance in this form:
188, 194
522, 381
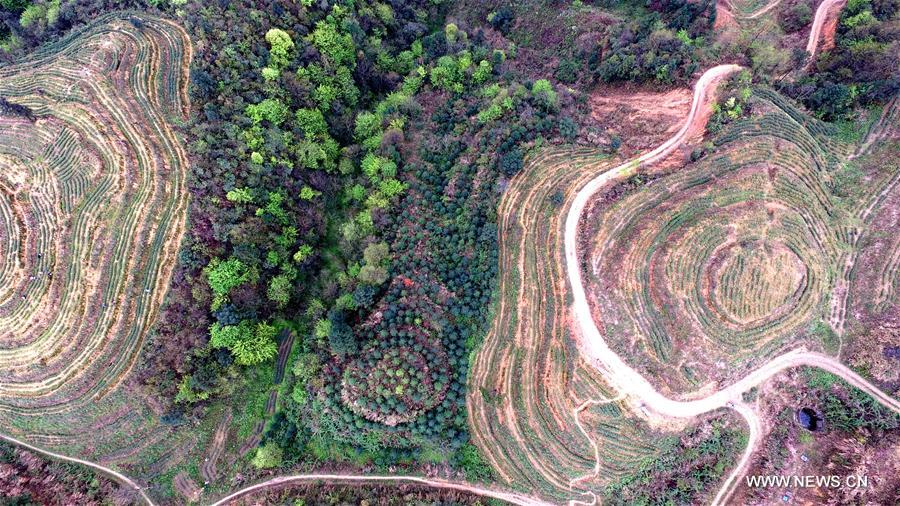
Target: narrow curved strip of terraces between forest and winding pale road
537, 411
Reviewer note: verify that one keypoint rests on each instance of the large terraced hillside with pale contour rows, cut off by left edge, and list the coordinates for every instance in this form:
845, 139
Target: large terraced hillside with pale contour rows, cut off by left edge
92, 208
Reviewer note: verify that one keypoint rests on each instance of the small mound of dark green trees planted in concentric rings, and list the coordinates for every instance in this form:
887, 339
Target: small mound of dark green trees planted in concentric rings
408, 382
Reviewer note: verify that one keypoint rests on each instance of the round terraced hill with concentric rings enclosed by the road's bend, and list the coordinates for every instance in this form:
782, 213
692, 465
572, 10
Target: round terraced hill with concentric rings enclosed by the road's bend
700, 275
